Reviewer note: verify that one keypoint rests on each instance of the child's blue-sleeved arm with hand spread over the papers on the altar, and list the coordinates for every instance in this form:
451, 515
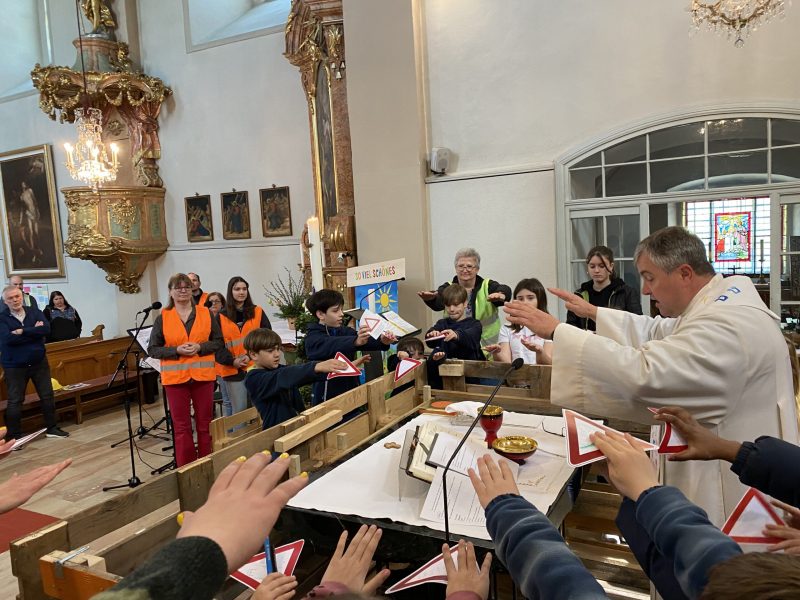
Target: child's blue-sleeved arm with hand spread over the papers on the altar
534, 552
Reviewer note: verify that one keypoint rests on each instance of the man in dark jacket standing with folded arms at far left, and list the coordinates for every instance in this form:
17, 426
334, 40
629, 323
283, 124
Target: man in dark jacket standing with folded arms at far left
22, 353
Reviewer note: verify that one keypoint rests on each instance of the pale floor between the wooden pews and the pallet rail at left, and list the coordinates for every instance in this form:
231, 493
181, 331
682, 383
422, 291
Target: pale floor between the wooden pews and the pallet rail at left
94, 465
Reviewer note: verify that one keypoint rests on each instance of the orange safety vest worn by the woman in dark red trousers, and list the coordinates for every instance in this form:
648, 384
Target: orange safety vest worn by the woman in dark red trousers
182, 369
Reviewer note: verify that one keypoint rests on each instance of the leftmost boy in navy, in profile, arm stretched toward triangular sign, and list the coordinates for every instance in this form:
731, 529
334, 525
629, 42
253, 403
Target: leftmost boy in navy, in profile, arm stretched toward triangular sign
272, 386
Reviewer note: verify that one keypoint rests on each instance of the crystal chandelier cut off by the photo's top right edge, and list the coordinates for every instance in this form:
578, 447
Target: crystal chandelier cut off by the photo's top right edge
735, 17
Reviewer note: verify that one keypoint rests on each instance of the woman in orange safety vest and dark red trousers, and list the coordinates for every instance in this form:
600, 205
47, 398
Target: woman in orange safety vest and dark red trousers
185, 338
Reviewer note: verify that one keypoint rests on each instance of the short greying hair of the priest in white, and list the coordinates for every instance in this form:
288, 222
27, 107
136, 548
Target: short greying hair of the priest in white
672, 247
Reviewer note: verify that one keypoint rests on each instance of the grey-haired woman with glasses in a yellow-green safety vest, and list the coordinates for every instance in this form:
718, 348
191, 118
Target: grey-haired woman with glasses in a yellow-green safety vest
484, 296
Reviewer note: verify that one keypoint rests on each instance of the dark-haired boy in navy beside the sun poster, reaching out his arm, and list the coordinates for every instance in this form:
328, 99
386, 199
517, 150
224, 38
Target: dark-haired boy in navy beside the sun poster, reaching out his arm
325, 339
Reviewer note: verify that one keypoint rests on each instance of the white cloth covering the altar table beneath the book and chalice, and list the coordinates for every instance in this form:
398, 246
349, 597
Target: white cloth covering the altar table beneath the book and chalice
367, 485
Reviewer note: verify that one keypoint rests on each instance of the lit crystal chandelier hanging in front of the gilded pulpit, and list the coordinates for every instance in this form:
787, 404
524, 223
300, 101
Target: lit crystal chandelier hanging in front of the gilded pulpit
87, 160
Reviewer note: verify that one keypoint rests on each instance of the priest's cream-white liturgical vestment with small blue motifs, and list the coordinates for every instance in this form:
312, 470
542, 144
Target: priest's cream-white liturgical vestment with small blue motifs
724, 360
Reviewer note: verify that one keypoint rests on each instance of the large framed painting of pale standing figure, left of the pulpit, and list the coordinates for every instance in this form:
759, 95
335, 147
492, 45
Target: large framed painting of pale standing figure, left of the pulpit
29, 214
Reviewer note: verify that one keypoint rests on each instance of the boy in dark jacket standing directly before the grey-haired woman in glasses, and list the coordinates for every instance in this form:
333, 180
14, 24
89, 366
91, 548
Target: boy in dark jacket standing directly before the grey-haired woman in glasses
462, 334
